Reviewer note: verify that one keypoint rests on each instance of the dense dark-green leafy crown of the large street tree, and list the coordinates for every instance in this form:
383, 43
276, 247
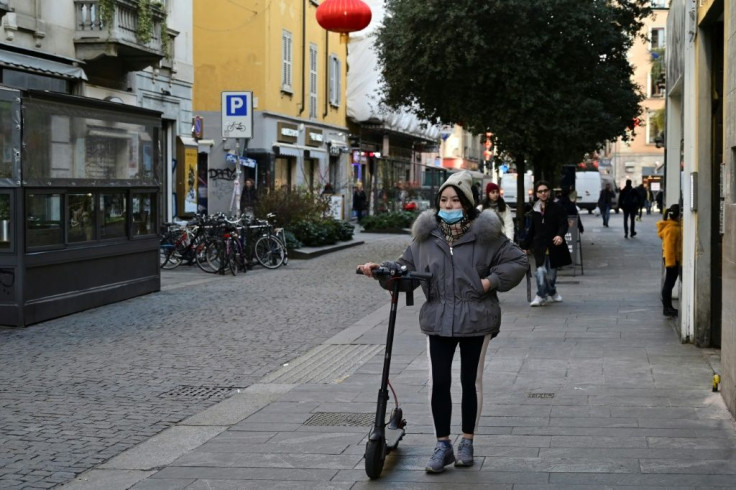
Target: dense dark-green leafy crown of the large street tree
550, 78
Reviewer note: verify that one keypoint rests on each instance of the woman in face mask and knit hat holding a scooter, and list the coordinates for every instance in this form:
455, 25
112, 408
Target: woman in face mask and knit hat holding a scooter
470, 260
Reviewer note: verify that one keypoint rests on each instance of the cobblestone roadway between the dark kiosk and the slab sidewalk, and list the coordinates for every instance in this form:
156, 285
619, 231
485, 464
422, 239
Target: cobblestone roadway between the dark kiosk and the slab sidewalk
78, 390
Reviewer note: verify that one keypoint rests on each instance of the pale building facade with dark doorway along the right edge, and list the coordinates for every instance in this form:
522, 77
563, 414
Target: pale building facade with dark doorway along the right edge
701, 172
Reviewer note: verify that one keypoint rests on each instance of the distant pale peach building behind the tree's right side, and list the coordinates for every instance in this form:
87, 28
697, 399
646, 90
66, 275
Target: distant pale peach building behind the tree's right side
641, 156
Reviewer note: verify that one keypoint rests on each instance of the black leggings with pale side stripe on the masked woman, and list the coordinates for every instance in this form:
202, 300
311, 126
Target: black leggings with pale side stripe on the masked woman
472, 352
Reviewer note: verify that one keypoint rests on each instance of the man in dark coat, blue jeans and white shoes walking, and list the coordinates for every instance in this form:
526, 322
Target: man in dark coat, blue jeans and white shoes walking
545, 239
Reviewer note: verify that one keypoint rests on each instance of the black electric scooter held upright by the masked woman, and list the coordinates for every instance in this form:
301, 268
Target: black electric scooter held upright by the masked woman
384, 437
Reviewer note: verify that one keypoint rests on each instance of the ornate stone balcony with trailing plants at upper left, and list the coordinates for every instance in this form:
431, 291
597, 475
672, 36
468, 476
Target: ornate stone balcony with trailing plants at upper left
121, 40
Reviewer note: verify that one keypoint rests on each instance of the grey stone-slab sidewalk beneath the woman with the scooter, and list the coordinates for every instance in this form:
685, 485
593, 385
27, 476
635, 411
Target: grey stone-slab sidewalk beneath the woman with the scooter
594, 392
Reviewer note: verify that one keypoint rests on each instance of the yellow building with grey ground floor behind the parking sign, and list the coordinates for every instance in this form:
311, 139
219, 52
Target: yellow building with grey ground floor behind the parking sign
295, 72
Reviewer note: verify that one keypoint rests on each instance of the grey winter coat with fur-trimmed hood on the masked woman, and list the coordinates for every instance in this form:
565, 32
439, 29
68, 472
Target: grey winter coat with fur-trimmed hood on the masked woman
456, 305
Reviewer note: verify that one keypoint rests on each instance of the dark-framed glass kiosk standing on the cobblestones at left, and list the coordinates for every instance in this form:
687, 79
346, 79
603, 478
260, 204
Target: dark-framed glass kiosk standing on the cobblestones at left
79, 201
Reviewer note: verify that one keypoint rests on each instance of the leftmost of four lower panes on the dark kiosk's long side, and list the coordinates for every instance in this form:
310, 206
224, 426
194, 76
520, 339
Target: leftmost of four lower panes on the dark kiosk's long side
43, 220
